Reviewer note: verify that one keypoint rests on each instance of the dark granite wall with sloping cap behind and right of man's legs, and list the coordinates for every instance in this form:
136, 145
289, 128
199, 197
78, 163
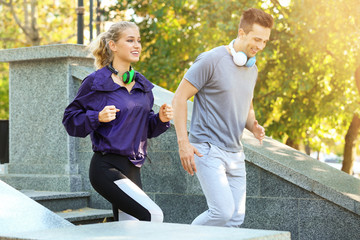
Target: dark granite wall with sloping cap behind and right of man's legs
286, 190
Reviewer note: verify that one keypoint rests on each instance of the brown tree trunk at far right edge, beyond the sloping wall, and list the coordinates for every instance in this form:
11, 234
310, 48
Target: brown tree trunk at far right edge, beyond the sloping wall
349, 149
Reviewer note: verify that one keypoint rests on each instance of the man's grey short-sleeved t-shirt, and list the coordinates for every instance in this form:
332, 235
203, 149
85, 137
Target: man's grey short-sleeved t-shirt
222, 104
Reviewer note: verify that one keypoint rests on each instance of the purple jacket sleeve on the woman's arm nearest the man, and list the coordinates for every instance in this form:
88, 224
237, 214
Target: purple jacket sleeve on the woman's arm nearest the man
156, 126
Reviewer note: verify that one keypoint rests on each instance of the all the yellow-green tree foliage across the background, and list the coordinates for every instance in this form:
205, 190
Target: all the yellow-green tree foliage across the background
305, 91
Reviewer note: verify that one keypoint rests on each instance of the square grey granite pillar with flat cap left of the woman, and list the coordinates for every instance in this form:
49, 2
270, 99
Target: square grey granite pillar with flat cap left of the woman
41, 154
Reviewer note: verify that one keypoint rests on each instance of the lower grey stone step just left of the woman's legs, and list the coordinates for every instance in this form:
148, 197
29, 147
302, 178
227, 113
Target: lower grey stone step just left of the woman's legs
87, 215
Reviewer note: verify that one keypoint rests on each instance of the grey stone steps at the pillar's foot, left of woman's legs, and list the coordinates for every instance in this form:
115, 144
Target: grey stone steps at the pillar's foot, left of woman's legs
72, 206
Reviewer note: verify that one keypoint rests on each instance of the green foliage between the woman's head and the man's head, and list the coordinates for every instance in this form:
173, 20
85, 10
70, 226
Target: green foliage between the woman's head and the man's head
174, 33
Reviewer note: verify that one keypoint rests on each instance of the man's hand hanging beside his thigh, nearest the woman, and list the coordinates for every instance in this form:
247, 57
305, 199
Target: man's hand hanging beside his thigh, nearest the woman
186, 152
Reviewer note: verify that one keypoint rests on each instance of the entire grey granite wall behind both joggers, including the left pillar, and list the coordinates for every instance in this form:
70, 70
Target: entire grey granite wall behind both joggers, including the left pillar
286, 190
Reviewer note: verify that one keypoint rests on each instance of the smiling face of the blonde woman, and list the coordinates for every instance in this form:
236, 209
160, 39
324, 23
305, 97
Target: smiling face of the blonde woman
128, 47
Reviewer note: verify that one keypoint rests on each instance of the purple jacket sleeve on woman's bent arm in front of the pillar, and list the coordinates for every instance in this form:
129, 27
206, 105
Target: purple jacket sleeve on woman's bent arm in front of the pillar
78, 119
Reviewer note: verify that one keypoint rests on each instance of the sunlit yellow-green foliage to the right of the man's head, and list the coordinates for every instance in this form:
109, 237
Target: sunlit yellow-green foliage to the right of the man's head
306, 88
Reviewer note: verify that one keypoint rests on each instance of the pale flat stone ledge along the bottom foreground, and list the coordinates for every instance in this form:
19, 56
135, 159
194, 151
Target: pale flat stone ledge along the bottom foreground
137, 230
